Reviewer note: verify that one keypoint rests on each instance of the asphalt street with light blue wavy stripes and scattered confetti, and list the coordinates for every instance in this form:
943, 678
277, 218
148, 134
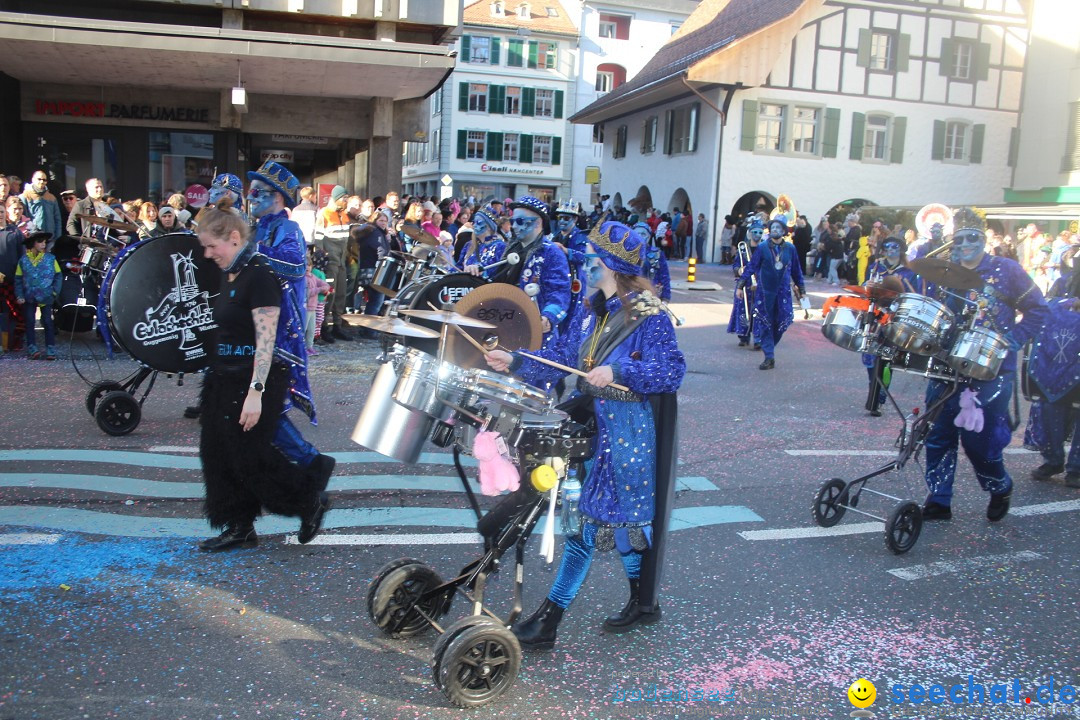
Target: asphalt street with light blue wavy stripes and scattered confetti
109, 610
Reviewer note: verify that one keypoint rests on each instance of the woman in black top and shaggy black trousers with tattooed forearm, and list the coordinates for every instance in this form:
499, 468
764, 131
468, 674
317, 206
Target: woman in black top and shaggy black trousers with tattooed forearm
244, 396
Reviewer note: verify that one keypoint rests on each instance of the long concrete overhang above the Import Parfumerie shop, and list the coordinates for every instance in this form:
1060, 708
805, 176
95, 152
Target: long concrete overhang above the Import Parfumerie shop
77, 51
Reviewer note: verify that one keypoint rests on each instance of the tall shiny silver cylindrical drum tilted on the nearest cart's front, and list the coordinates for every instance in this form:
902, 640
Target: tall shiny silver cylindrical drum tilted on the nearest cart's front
389, 428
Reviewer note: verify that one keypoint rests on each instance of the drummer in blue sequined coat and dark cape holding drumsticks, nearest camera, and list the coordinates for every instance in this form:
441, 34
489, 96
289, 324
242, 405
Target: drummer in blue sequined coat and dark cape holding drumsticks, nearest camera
620, 335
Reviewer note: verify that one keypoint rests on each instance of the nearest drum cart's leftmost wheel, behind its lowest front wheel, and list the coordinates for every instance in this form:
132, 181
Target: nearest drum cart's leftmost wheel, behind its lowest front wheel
396, 600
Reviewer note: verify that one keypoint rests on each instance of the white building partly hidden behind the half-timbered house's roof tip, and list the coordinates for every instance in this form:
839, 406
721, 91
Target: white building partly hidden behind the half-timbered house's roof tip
618, 38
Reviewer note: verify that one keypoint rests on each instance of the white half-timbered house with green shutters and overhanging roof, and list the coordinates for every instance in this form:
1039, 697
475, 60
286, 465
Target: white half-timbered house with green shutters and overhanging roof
898, 104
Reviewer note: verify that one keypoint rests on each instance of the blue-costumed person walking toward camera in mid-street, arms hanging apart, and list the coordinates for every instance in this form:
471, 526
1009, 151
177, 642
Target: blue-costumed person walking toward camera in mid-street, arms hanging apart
776, 265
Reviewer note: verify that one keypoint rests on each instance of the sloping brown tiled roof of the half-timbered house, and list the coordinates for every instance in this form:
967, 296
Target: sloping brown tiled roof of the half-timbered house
733, 21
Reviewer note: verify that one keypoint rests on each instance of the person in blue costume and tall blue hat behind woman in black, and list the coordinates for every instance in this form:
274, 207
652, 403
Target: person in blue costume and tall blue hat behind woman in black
274, 189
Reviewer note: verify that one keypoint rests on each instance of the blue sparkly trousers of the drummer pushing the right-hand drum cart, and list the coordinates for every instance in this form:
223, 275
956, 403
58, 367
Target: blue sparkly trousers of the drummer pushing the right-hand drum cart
983, 449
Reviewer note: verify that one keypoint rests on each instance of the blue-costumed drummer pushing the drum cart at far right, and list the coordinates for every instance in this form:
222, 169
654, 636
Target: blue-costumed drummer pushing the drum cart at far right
1007, 290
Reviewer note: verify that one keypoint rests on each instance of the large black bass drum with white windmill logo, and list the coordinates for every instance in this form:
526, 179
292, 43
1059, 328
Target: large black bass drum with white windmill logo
159, 301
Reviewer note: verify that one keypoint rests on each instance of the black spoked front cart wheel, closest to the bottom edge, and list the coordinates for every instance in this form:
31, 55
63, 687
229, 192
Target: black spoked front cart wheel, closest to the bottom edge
480, 665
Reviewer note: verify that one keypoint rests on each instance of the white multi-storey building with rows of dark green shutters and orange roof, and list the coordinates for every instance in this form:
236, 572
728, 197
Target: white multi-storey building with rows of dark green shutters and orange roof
498, 125
